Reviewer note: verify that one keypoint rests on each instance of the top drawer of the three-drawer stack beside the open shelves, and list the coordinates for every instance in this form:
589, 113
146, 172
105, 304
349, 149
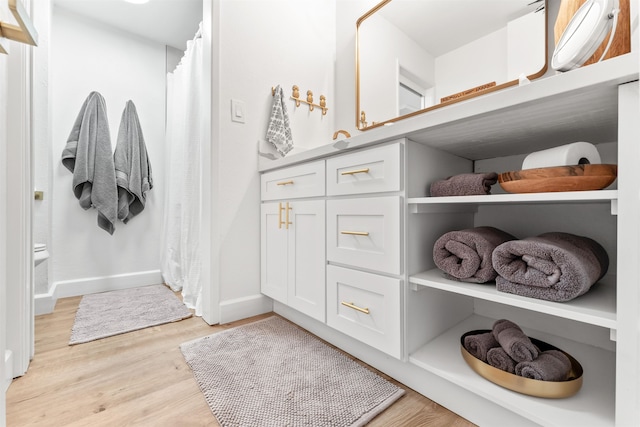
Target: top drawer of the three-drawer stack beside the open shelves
367, 171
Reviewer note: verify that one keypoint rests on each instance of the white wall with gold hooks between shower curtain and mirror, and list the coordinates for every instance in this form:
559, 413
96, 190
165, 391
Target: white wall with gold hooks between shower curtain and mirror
262, 44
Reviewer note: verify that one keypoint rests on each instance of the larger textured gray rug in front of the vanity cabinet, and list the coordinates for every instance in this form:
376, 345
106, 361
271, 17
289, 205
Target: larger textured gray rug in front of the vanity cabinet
271, 373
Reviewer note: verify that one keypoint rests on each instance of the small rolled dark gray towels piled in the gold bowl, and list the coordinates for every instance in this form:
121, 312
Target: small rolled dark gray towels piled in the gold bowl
509, 349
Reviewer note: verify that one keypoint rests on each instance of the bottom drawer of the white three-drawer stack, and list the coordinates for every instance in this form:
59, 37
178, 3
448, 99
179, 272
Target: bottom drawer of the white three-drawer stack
366, 307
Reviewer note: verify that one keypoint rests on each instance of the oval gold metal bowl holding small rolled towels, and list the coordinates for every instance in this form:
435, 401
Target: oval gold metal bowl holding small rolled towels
528, 386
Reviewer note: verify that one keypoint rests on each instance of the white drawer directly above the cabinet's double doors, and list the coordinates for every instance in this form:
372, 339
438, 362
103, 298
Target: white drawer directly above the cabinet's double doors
307, 180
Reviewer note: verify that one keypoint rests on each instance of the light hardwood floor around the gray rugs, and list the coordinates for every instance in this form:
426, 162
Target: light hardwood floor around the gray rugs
141, 378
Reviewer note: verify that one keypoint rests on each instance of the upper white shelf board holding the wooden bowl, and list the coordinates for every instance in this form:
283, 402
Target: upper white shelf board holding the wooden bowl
435, 204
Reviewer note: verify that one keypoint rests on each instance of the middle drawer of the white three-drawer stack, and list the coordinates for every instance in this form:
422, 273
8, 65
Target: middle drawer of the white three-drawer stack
365, 233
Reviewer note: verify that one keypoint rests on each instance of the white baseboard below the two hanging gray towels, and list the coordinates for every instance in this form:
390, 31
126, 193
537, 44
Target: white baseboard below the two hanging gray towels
45, 303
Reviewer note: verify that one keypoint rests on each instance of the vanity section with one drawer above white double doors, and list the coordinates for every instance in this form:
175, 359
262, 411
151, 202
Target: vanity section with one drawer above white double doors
293, 238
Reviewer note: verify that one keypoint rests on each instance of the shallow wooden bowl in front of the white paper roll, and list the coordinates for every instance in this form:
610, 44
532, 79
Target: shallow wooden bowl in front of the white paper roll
559, 178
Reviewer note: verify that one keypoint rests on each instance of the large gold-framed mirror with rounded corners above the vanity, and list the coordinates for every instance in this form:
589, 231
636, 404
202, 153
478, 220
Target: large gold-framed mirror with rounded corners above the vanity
414, 56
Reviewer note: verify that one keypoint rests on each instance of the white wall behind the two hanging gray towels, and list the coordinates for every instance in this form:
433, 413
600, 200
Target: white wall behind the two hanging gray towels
88, 56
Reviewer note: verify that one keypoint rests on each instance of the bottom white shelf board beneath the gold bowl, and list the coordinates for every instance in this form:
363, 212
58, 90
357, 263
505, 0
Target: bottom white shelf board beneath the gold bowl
592, 405
